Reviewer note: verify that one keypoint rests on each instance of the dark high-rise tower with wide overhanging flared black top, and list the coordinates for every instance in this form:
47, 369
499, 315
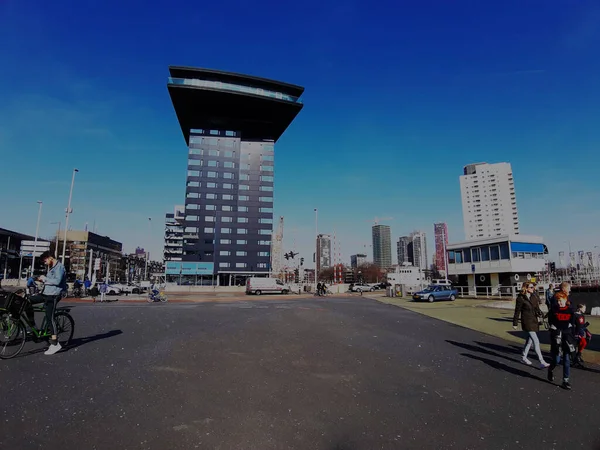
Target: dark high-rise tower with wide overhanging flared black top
230, 123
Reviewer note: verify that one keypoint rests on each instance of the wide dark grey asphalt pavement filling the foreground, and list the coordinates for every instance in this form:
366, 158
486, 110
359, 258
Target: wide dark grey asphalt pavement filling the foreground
332, 373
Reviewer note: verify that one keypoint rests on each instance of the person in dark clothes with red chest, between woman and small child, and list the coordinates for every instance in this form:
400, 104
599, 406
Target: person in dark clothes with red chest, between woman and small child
562, 343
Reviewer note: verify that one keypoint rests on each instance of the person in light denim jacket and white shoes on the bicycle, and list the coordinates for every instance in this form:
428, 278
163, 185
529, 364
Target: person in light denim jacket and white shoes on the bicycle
55, 282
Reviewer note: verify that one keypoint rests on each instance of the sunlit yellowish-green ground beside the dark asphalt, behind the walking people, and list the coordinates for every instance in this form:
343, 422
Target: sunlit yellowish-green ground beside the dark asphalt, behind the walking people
489, 317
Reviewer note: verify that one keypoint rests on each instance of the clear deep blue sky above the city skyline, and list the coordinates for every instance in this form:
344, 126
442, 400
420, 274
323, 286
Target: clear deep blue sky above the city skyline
399, 97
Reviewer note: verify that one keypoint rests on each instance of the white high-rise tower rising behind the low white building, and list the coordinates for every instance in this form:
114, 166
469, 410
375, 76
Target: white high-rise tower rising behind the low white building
488, 200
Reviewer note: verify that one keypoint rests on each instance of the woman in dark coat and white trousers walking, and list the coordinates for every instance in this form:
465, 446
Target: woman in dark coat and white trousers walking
528, 310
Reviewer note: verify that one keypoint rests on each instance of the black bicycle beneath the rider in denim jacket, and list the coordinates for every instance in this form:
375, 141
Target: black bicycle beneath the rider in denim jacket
14, 323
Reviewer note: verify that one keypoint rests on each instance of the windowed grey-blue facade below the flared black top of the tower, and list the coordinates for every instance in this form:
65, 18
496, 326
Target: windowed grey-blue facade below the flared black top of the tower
229, 194
